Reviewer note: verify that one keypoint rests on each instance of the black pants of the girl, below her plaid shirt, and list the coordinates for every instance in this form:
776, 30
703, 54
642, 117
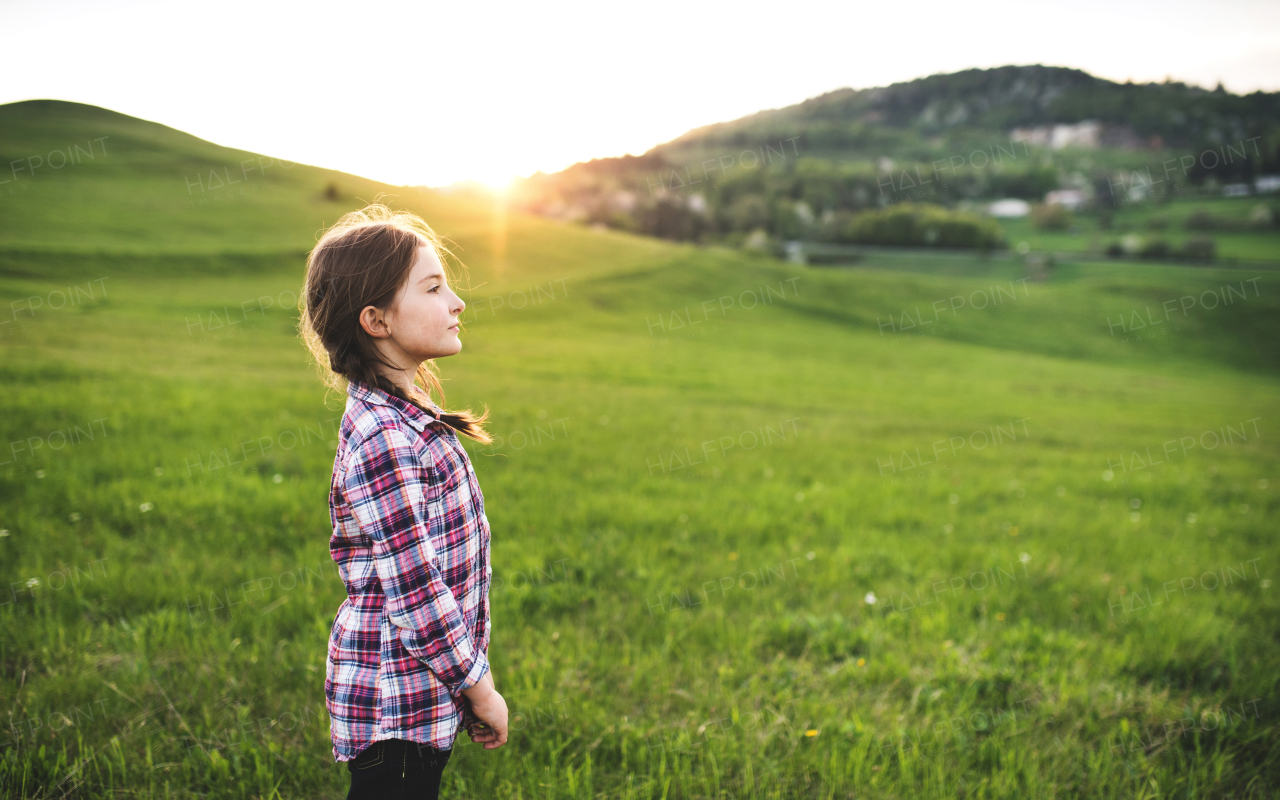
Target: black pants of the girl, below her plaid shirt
397, 770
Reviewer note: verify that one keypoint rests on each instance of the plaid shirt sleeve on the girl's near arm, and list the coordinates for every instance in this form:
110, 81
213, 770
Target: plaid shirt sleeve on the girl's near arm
386, 486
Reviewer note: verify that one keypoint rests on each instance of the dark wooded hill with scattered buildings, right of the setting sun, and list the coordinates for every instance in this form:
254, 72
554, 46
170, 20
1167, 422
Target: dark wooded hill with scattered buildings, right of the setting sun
958, 140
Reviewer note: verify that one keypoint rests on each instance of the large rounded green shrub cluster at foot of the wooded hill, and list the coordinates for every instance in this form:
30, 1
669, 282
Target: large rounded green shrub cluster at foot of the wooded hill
922, 225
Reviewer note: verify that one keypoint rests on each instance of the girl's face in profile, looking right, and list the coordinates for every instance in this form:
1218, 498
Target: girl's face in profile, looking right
424, 319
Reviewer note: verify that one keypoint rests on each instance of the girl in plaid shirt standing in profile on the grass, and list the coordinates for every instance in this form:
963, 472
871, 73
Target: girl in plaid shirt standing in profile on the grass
408, 659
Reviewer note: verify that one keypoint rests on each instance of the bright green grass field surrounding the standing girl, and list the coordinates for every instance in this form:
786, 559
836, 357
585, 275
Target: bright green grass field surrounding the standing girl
760, 531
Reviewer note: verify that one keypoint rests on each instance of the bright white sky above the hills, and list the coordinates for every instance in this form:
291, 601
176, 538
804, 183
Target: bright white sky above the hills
436, 93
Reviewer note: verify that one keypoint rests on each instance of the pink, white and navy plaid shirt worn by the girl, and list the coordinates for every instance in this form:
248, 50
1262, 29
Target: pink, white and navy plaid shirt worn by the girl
412, 541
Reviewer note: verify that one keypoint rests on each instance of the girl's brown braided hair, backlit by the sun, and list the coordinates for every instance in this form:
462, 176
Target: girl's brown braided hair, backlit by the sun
363, 262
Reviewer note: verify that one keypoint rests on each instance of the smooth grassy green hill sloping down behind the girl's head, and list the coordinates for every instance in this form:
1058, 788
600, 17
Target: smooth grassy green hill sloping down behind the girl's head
152, 193
